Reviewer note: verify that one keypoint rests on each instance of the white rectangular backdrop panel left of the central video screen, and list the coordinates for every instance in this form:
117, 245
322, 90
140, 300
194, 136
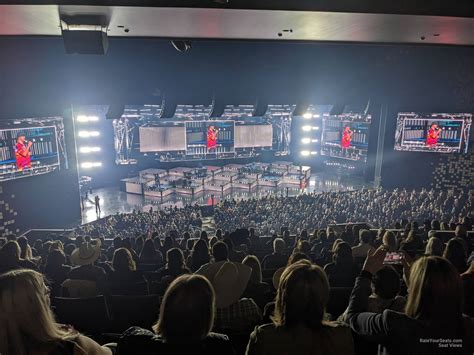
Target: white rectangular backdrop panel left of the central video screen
162, 139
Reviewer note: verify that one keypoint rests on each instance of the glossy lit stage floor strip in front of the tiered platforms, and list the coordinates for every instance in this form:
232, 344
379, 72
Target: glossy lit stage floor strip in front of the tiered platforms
113, 200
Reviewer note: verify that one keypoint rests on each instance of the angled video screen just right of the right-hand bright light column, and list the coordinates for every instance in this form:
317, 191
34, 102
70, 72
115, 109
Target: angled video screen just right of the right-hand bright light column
346, 136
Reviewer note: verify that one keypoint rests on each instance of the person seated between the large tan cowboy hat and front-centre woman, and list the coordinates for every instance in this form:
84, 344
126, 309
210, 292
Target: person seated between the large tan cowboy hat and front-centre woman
257, 290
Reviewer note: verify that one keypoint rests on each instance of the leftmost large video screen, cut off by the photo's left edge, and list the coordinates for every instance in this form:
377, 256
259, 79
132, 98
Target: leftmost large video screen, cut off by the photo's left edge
30, 147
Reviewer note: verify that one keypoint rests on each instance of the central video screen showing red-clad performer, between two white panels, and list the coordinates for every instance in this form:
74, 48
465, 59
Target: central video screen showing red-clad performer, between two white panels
209, 137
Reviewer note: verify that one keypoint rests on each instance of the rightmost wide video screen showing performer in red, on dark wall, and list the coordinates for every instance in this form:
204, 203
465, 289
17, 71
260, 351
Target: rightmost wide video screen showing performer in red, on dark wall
437, 132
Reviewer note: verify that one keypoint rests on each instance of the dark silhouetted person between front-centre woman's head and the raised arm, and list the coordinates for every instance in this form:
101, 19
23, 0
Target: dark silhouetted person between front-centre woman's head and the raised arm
342, 271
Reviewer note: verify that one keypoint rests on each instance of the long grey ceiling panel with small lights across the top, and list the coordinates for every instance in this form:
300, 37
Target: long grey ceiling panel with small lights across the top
207, 23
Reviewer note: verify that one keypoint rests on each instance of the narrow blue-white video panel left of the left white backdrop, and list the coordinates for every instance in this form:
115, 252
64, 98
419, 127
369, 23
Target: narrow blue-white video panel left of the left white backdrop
123, 141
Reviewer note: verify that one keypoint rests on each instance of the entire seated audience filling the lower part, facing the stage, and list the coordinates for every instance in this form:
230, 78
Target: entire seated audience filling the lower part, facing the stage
363, 272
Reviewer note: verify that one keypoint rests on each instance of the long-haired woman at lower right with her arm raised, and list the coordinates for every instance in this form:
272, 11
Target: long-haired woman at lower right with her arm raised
433, 310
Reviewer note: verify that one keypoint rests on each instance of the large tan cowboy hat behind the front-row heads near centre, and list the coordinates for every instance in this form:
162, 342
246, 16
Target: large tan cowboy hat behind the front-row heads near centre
228, 279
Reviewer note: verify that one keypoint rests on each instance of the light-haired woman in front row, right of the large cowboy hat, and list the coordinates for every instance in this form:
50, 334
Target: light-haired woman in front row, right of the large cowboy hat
298, 322
